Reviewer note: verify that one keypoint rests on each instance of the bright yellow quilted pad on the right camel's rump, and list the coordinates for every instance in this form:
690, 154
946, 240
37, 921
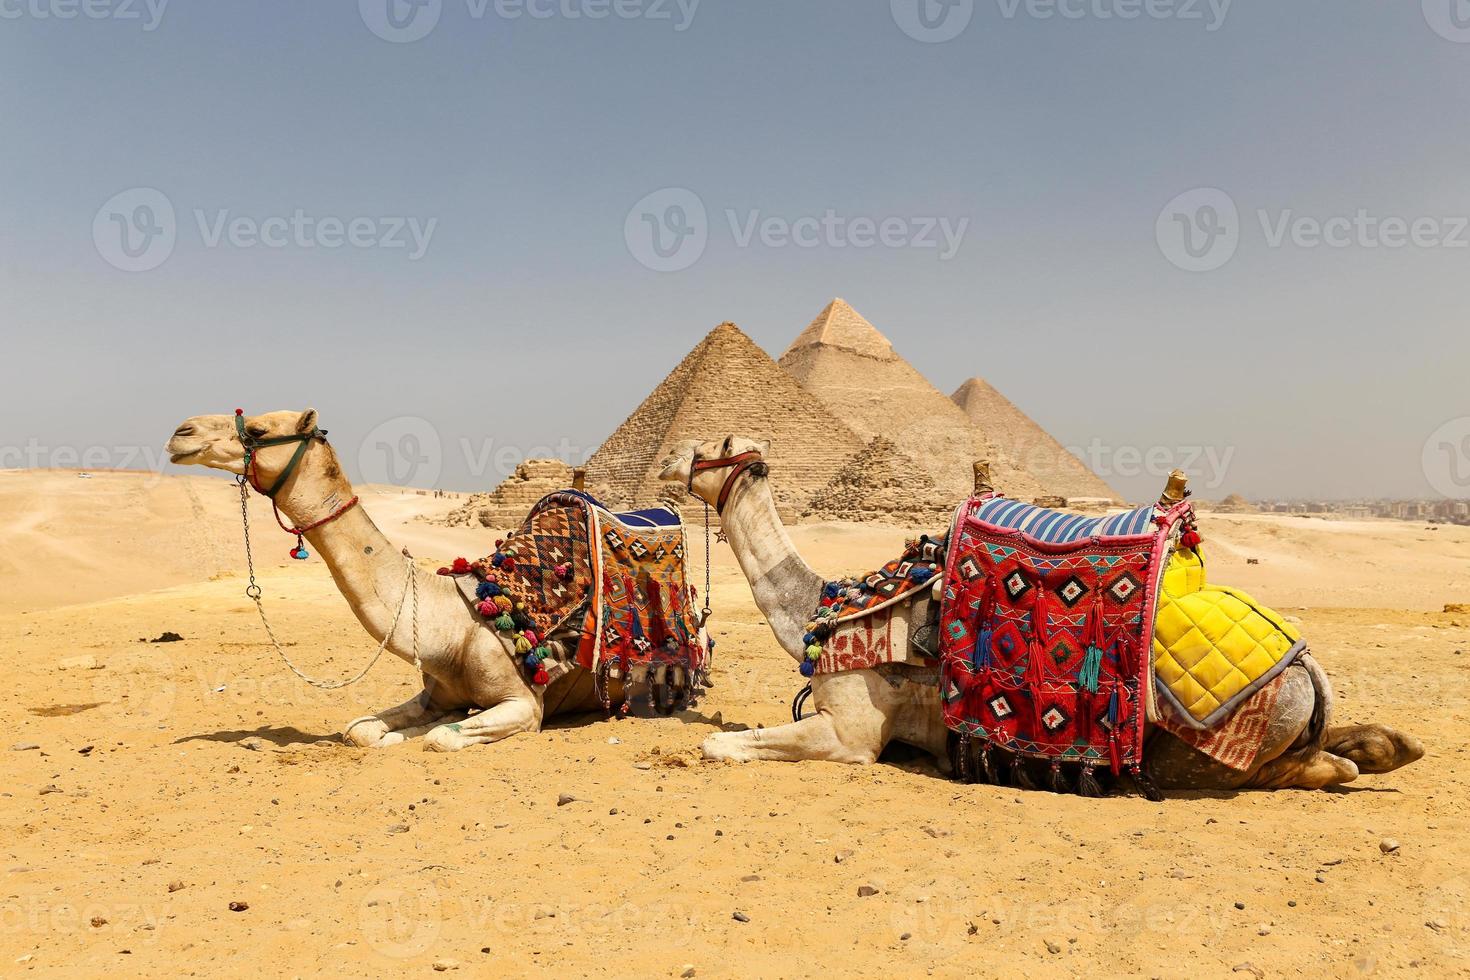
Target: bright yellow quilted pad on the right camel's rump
1213, 646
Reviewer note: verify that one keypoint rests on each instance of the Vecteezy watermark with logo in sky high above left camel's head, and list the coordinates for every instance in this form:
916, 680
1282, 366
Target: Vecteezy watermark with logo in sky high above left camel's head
137, 230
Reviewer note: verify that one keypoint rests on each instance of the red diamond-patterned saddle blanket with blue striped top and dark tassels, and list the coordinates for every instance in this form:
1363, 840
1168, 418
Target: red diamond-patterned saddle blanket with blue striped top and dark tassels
1046, 633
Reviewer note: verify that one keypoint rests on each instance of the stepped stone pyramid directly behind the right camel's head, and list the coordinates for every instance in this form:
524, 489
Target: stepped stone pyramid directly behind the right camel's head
727, 386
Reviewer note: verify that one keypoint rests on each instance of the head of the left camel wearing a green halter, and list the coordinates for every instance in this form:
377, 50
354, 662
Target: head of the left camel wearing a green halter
214, 442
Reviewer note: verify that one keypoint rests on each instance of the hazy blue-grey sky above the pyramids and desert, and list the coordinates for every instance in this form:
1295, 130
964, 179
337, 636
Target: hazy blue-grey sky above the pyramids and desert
429, 221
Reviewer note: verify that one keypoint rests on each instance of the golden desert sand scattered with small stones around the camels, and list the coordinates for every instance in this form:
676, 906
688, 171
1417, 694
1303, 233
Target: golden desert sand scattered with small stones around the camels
176, 779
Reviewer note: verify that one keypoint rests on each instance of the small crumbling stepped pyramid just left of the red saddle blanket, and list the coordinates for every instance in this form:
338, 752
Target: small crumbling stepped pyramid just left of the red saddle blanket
880, 484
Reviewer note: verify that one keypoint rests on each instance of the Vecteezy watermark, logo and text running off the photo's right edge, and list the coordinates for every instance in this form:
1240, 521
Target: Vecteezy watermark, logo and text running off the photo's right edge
1202, 230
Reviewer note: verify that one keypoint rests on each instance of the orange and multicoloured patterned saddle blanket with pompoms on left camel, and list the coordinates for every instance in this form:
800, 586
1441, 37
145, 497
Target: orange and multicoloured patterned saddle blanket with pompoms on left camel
612, 586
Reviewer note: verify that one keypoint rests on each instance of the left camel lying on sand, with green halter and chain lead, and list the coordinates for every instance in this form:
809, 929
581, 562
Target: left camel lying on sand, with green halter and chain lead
465, 666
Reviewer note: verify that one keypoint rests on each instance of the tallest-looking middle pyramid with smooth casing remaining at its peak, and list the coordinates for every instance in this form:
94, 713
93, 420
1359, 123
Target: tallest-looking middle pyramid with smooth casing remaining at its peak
847, 364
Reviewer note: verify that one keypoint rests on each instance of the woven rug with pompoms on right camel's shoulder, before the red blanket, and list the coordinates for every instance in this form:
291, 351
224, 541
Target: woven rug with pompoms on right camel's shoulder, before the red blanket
853, 628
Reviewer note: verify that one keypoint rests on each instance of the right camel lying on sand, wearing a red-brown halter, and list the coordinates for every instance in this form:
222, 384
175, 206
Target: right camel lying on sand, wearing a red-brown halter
859, 712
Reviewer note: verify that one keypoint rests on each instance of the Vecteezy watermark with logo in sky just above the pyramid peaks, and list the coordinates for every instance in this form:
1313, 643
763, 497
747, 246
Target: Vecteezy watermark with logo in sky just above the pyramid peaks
670, 230
